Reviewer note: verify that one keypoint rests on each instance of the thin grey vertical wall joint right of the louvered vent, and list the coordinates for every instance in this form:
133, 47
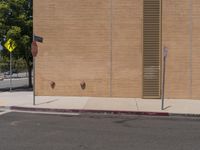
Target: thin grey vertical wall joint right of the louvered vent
190, 45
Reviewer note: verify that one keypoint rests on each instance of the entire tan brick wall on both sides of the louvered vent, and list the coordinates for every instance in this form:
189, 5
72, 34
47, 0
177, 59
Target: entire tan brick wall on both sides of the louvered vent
87, 40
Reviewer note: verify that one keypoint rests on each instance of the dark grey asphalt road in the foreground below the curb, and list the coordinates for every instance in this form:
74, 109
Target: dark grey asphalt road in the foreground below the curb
20, 131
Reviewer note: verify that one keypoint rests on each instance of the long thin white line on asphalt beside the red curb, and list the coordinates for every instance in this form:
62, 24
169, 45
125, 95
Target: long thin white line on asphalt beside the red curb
48, 113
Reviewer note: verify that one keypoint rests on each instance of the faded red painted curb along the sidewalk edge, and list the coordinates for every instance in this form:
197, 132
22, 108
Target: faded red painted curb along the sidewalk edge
89, 111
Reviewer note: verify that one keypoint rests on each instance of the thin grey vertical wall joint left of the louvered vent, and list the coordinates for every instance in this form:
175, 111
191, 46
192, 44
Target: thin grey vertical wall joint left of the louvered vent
111, 38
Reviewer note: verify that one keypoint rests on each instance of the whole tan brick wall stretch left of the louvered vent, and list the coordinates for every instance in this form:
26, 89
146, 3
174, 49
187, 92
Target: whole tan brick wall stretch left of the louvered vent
78, 39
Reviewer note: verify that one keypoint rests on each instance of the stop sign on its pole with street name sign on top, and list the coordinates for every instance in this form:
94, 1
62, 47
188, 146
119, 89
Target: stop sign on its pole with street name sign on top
34, 51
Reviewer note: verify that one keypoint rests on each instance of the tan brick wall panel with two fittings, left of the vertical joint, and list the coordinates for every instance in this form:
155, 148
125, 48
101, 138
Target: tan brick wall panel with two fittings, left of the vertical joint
76, 46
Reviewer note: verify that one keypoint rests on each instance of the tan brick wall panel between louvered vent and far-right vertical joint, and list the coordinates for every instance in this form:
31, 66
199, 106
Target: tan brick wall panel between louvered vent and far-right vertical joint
175, 36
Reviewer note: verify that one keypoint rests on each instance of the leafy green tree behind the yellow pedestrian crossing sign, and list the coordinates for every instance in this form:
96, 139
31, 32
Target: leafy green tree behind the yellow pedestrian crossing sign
16, 23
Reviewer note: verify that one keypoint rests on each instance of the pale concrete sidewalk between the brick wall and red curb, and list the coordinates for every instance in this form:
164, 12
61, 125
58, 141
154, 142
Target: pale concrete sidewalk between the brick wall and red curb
24, 101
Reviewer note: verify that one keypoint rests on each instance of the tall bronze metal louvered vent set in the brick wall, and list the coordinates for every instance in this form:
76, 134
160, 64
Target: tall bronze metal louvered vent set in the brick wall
151, 48
